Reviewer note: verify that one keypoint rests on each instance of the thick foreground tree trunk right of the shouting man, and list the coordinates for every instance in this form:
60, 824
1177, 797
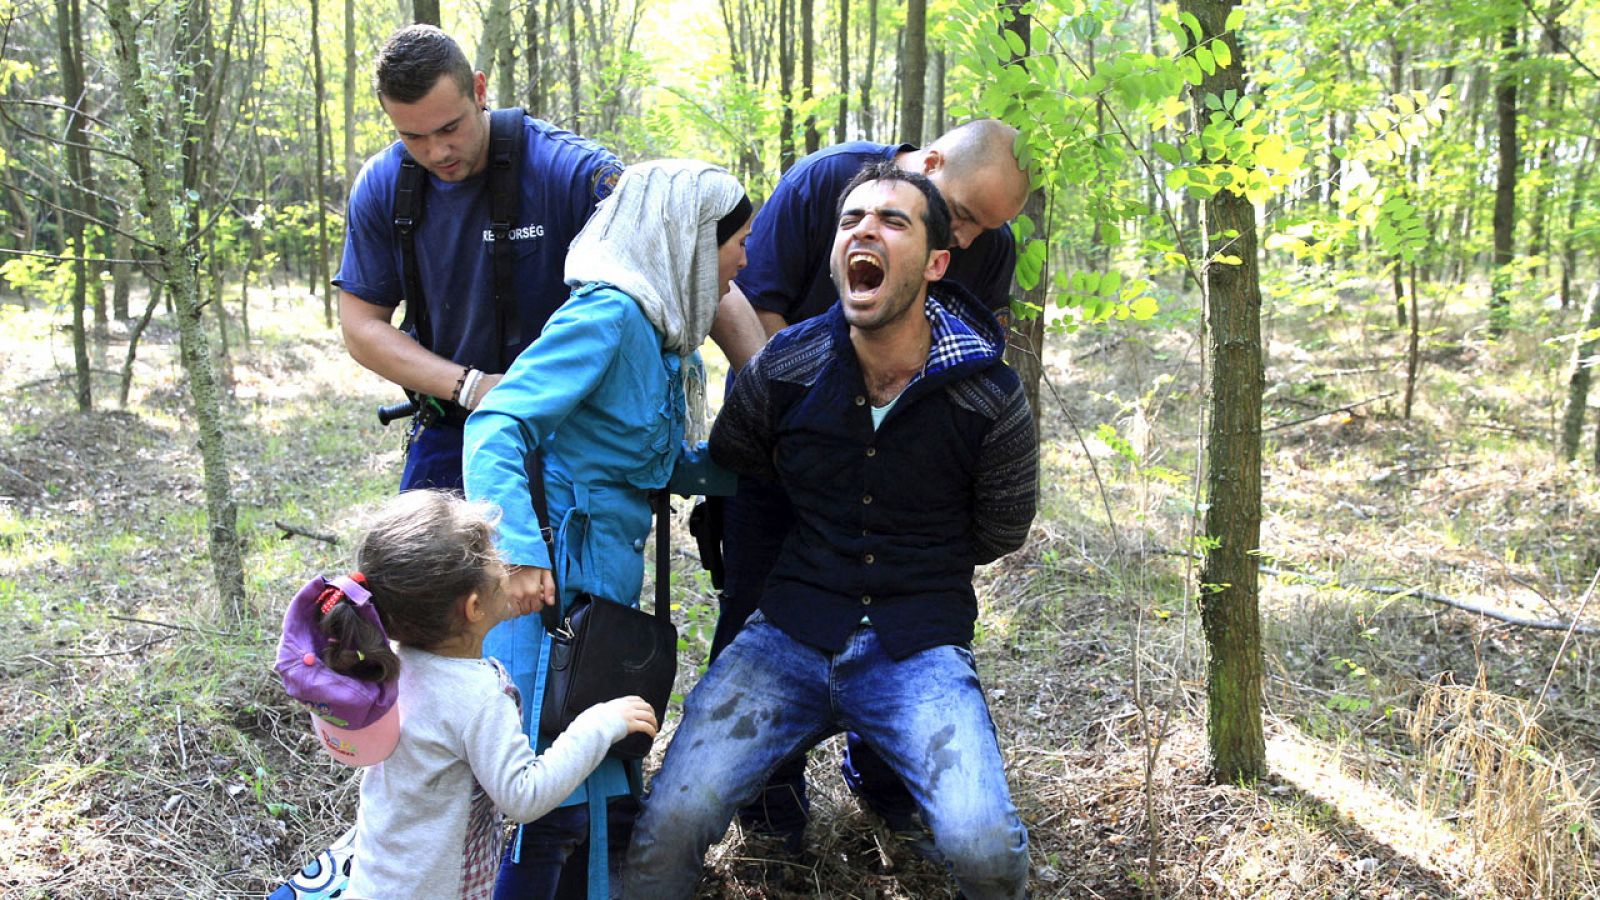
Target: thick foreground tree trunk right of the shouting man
1233, 521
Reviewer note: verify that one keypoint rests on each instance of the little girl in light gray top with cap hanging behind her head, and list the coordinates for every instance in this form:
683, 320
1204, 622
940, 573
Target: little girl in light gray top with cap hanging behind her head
430, 819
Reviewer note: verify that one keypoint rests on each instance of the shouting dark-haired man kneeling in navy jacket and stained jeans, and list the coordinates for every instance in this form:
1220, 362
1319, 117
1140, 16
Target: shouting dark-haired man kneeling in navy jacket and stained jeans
908, 451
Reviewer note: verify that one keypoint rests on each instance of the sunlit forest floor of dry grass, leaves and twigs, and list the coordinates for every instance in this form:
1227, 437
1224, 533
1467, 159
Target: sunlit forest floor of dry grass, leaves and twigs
1415, 750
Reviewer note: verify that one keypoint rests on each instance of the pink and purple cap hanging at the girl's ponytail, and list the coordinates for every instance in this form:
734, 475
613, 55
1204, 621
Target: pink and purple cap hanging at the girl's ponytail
356, 721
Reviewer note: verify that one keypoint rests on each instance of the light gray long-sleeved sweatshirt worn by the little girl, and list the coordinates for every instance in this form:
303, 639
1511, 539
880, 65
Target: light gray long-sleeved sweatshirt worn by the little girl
430, 824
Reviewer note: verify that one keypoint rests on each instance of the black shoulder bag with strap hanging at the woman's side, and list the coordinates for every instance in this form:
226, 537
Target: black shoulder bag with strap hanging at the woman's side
604, 649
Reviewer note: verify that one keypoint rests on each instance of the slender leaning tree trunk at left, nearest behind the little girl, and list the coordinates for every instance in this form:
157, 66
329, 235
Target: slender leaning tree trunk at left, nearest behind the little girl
180, 271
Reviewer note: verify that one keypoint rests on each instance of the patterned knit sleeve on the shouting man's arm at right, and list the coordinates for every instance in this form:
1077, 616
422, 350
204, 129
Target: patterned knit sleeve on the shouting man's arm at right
1007, 489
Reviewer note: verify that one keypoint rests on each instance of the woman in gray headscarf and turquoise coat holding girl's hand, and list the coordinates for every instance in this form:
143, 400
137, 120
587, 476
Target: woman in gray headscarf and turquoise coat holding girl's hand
609, 395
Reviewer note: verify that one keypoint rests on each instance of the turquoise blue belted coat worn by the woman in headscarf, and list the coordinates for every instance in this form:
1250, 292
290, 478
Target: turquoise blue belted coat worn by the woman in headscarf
606, 404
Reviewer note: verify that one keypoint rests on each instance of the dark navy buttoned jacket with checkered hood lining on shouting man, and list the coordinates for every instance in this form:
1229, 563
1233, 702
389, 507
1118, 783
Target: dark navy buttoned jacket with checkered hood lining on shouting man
890, 521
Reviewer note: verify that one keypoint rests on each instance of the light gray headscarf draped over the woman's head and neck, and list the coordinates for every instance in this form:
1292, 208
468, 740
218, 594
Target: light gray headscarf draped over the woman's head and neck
655, 238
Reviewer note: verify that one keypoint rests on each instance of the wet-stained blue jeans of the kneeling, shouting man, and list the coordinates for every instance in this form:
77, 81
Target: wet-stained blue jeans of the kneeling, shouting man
770, 696
